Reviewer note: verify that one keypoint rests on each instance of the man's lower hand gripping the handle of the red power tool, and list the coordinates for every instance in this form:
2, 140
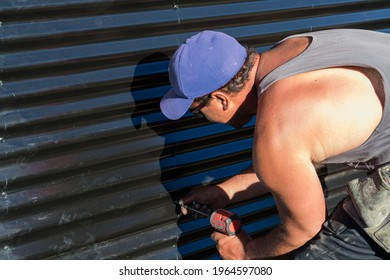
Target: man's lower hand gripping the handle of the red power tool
232, 247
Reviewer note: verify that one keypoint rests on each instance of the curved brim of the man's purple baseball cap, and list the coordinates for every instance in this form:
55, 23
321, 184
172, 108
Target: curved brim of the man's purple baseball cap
174, 106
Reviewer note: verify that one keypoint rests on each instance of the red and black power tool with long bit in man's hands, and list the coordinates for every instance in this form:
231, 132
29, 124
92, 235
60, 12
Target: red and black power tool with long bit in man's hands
221, 220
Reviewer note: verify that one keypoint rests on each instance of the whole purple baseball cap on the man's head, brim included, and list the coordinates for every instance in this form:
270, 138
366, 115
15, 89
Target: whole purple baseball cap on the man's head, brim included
201, 65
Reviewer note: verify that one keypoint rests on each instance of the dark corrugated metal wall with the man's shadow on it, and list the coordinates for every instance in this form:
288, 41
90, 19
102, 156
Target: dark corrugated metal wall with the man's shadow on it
88, 165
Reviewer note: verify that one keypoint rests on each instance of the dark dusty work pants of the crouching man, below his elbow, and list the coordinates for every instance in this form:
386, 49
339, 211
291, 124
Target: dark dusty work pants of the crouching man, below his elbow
341, 239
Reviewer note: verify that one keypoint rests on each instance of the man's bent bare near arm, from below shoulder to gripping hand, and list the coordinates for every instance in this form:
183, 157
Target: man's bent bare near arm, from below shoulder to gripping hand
283, 160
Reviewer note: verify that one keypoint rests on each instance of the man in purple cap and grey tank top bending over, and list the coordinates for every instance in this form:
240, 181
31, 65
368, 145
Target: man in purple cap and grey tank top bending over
318, 98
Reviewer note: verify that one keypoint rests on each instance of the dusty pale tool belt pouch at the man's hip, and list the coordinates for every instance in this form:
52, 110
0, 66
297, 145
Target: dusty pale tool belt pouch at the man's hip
369, 205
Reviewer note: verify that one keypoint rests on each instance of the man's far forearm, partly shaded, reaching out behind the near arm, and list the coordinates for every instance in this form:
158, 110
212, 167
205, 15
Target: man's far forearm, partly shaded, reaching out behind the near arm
243, 186
